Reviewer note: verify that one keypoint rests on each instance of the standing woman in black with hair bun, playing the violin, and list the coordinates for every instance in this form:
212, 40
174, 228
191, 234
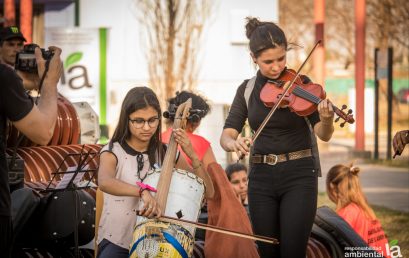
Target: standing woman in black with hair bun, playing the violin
282, 187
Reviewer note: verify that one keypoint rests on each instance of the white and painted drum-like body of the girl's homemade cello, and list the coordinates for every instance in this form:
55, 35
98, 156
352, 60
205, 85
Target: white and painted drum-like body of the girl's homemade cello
153, 238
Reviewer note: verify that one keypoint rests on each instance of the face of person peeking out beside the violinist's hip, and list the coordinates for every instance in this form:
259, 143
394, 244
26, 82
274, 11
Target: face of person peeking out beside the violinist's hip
237, 175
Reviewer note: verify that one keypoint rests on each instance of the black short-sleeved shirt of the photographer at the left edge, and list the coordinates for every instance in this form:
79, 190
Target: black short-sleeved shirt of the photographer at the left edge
15, 104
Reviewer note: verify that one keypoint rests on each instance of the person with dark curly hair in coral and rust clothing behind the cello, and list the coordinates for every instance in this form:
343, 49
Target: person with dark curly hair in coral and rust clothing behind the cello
224, 209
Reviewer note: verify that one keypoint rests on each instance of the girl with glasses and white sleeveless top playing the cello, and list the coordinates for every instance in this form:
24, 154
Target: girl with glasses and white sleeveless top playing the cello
135, 148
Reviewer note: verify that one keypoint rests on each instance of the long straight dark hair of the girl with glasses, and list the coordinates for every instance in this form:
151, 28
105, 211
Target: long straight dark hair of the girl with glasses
140, 98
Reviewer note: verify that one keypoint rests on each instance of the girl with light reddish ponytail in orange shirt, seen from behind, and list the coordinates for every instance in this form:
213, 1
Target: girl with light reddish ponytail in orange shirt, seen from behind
344, 189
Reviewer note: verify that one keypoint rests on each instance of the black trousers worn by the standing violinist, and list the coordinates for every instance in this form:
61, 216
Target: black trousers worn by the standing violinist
283, 203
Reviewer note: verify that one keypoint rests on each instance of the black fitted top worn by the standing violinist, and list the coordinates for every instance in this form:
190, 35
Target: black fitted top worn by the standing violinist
285, 131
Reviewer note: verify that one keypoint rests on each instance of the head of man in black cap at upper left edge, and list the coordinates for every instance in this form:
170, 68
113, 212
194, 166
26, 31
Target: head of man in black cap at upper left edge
11, 42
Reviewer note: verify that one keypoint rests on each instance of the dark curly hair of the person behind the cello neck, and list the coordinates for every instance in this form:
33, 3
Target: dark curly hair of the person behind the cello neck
199, 105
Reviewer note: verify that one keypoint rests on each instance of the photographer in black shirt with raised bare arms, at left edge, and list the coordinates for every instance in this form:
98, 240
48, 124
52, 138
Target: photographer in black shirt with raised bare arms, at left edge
34, 121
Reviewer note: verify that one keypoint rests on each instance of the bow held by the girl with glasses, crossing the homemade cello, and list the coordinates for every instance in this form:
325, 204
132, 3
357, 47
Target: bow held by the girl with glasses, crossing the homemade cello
269, 240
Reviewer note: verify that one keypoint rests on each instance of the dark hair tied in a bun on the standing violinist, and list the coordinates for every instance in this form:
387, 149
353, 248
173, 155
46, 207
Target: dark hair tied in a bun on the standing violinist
264, 35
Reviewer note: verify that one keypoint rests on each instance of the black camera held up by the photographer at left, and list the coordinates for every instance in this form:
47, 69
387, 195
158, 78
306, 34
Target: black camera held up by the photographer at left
26, 61
